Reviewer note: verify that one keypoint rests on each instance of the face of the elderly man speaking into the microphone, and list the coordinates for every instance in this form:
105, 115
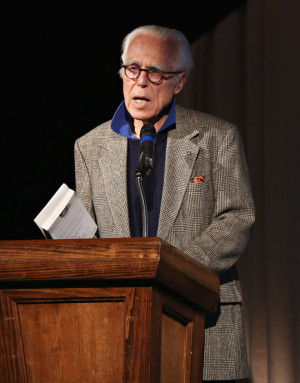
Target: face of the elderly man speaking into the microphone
145, 101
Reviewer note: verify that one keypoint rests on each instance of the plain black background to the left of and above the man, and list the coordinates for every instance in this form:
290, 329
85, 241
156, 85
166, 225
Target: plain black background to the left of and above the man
59, 80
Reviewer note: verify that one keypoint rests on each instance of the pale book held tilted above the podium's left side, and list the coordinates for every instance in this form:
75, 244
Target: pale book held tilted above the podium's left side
65, 217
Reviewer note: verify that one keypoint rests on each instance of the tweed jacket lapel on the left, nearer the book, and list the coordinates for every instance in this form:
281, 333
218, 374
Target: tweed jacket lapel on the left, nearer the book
113, 165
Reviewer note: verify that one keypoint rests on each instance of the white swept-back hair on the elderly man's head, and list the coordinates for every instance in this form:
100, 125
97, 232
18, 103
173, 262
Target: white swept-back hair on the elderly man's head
183, 57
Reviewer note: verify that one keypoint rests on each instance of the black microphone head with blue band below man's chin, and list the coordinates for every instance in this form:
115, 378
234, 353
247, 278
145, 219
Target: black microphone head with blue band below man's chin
147, 137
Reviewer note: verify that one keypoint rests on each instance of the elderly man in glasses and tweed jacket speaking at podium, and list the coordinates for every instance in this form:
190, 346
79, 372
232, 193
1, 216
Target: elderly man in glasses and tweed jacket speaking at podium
198, 194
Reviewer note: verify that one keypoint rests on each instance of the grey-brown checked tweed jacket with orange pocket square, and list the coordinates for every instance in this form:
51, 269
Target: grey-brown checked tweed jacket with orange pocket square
209, 220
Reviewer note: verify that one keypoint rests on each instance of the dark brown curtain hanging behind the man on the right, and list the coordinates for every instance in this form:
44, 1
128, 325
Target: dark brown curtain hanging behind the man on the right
247, 70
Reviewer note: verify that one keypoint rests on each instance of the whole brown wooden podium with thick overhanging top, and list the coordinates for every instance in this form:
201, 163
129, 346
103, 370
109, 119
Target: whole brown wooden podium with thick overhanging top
102, 310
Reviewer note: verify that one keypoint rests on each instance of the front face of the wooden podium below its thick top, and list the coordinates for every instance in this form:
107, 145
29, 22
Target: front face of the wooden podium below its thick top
72, 335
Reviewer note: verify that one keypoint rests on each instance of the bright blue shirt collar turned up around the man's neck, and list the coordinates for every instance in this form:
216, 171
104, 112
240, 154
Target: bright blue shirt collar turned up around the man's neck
121, 120
